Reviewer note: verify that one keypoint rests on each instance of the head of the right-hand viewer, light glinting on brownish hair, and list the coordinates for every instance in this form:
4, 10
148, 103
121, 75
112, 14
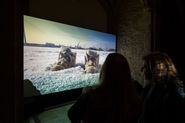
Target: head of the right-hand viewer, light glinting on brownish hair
159, 67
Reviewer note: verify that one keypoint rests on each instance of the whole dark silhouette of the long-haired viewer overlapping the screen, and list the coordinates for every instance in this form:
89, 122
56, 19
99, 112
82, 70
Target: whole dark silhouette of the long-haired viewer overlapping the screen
115, 100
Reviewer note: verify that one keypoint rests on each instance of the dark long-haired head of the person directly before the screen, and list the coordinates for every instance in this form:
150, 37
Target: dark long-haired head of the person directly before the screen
115, 71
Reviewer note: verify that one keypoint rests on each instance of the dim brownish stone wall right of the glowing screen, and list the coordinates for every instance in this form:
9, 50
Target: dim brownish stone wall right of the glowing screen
133, 35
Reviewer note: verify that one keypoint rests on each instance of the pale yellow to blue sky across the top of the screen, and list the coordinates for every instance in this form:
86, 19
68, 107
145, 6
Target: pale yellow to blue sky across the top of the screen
41, 31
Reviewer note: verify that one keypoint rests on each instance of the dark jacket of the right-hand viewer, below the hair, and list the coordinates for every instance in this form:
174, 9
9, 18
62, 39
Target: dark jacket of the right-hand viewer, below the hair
163, 103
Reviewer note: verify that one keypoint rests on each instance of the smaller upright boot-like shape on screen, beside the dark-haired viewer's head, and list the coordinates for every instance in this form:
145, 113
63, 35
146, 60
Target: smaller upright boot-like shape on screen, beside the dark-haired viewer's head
91, 62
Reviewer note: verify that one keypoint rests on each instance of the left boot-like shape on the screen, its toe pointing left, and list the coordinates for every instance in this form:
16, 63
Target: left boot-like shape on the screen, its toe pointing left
66, 59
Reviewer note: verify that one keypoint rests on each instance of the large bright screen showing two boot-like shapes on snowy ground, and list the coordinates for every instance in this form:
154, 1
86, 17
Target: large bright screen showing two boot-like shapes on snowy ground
60, 57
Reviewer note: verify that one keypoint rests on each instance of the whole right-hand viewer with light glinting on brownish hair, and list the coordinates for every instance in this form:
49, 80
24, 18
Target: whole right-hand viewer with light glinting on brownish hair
163, 91
